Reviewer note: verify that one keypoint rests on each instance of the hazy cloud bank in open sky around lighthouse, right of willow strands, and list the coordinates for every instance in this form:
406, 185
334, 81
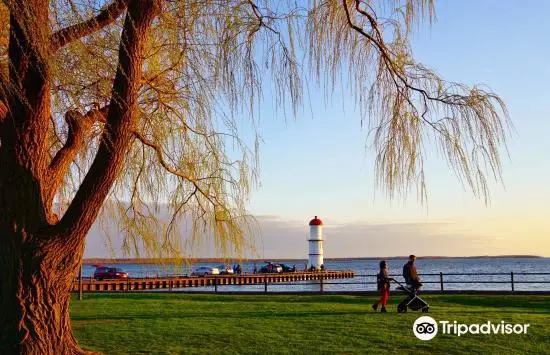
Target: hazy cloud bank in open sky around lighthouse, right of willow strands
363, 240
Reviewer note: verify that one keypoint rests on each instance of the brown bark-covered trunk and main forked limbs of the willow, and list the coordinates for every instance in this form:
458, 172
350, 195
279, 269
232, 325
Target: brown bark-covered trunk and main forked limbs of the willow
39, 255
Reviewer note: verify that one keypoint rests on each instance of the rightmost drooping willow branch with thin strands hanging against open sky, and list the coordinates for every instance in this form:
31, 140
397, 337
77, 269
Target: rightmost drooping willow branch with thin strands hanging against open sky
469, 123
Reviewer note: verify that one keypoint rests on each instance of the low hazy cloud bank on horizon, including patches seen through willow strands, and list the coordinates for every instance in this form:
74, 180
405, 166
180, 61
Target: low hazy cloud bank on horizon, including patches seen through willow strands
280, 238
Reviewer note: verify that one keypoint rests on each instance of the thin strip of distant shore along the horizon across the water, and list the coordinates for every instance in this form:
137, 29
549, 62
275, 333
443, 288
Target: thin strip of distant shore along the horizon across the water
145, 261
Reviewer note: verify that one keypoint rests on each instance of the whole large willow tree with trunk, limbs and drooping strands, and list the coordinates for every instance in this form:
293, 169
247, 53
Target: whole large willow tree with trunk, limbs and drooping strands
138, 101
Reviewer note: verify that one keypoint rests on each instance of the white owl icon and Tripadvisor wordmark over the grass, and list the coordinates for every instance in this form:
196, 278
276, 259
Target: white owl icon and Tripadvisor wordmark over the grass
426, 328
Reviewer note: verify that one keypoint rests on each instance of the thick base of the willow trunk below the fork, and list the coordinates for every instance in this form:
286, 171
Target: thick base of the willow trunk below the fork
35, 282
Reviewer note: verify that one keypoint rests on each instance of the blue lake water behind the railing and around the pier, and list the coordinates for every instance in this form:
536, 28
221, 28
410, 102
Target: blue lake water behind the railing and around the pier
366, 269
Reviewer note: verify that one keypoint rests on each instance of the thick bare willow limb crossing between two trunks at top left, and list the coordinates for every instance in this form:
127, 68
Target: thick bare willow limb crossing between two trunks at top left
106, 17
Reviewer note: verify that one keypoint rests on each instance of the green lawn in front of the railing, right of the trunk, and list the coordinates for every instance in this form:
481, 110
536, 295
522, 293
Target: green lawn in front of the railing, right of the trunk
226, 324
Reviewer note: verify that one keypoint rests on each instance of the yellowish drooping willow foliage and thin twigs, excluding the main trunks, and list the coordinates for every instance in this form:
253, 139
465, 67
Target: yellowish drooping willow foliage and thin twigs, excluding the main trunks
206, 63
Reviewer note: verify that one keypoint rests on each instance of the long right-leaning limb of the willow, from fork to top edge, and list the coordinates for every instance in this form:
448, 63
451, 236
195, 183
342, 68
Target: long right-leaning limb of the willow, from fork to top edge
121, 120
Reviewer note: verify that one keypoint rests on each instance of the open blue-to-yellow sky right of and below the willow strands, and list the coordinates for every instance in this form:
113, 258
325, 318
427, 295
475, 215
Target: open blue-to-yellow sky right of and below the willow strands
321, 164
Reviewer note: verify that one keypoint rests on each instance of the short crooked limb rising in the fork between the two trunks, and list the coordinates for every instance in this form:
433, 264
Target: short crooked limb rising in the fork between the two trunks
79, 128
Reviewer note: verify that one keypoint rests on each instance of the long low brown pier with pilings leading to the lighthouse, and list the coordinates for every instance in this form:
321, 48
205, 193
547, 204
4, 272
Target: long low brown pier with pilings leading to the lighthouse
177, 282
